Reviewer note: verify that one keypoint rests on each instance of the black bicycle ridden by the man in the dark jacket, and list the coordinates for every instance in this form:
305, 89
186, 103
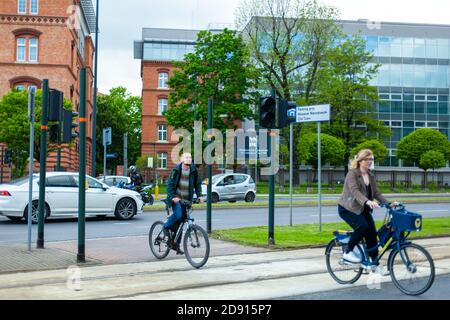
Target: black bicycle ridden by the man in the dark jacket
195, 241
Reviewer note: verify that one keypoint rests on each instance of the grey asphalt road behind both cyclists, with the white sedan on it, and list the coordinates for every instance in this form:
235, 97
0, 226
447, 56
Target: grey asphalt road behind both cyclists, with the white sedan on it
60, 229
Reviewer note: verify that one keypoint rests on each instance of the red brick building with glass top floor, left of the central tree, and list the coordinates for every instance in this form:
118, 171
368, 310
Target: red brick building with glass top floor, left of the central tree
157, 49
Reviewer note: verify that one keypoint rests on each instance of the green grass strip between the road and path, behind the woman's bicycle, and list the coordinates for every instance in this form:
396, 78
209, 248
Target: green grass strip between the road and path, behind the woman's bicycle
307, 235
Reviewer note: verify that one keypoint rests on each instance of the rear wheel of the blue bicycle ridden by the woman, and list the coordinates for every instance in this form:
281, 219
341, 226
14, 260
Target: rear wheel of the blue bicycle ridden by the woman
341, 271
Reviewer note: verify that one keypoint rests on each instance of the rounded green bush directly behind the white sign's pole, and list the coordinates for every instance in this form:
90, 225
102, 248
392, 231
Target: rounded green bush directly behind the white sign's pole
331, 149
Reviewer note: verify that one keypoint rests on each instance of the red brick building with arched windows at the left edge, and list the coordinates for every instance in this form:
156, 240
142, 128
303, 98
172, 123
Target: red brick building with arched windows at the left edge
49, 40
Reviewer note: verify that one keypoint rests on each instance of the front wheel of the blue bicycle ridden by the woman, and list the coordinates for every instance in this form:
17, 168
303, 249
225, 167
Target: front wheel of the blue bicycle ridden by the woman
412, 269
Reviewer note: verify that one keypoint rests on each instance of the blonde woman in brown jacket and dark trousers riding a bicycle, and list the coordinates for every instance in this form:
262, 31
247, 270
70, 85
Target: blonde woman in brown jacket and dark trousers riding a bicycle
356, 205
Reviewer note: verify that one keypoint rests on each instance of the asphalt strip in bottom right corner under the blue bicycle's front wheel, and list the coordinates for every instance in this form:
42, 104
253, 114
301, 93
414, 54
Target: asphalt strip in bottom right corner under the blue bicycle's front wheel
440, 290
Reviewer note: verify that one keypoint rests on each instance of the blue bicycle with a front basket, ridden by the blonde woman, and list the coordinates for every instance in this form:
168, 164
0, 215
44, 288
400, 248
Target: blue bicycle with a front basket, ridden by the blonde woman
411, 267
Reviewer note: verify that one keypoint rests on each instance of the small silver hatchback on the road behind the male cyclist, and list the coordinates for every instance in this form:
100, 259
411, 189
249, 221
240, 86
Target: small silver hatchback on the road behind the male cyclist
232, 187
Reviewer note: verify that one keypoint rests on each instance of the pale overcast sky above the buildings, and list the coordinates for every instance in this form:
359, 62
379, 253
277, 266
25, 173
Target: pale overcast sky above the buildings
121, 23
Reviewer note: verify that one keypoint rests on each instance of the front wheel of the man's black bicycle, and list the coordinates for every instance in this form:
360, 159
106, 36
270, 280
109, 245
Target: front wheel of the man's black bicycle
196, 246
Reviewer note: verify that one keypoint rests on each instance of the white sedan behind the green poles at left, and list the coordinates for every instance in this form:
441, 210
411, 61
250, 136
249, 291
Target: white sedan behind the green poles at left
61, 198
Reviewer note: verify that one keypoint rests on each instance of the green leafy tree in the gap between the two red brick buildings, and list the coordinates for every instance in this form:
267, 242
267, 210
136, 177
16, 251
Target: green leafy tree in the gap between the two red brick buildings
122, 112
